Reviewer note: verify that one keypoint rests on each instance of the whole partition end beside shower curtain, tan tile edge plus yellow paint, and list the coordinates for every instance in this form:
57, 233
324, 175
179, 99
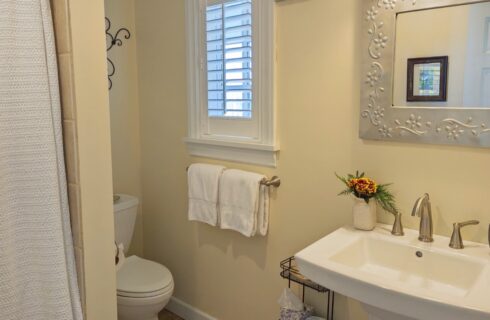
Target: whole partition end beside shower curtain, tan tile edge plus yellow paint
87, 150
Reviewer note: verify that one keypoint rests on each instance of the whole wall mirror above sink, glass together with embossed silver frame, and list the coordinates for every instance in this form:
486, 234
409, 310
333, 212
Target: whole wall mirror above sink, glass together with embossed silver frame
426, 71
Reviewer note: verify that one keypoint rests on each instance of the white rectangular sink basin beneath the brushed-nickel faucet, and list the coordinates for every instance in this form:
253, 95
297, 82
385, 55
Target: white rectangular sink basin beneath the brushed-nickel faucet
386, 274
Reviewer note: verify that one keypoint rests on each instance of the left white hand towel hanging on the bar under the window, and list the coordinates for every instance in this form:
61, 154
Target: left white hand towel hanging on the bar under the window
203, 183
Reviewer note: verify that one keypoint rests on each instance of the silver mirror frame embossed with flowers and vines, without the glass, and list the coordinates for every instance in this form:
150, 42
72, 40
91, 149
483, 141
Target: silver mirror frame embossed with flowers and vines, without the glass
379, 119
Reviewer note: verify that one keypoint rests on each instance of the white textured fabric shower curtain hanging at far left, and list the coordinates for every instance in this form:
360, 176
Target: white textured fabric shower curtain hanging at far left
37, 268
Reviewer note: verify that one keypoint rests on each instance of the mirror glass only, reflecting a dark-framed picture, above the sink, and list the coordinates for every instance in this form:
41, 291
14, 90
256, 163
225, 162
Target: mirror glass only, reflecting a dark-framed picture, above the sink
442, 57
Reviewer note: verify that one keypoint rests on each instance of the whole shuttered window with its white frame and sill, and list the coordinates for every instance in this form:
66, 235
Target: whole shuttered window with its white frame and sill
230, 79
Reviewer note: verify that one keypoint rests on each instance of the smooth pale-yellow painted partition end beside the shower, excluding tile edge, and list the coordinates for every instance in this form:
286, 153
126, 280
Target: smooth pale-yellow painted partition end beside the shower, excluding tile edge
94, 145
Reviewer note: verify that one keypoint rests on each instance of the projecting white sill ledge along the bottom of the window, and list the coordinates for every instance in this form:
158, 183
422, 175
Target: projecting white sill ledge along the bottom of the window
253, 153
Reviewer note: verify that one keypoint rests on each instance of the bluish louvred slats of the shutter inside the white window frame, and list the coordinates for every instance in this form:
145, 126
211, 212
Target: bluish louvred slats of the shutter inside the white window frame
229, 59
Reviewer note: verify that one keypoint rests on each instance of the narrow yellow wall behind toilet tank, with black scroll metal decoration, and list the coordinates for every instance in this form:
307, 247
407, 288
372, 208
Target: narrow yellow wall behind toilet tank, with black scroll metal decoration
124, 110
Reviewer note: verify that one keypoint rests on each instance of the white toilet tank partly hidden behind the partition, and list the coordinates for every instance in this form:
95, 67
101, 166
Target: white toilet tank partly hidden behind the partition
125, 211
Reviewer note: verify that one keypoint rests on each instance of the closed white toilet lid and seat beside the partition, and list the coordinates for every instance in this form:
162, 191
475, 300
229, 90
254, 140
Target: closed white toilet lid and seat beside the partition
138, 275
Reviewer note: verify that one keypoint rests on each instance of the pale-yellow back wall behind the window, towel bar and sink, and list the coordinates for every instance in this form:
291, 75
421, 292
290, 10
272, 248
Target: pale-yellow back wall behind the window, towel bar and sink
318, 58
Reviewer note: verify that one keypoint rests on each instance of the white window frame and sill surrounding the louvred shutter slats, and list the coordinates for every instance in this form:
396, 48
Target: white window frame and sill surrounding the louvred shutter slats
260, 145
